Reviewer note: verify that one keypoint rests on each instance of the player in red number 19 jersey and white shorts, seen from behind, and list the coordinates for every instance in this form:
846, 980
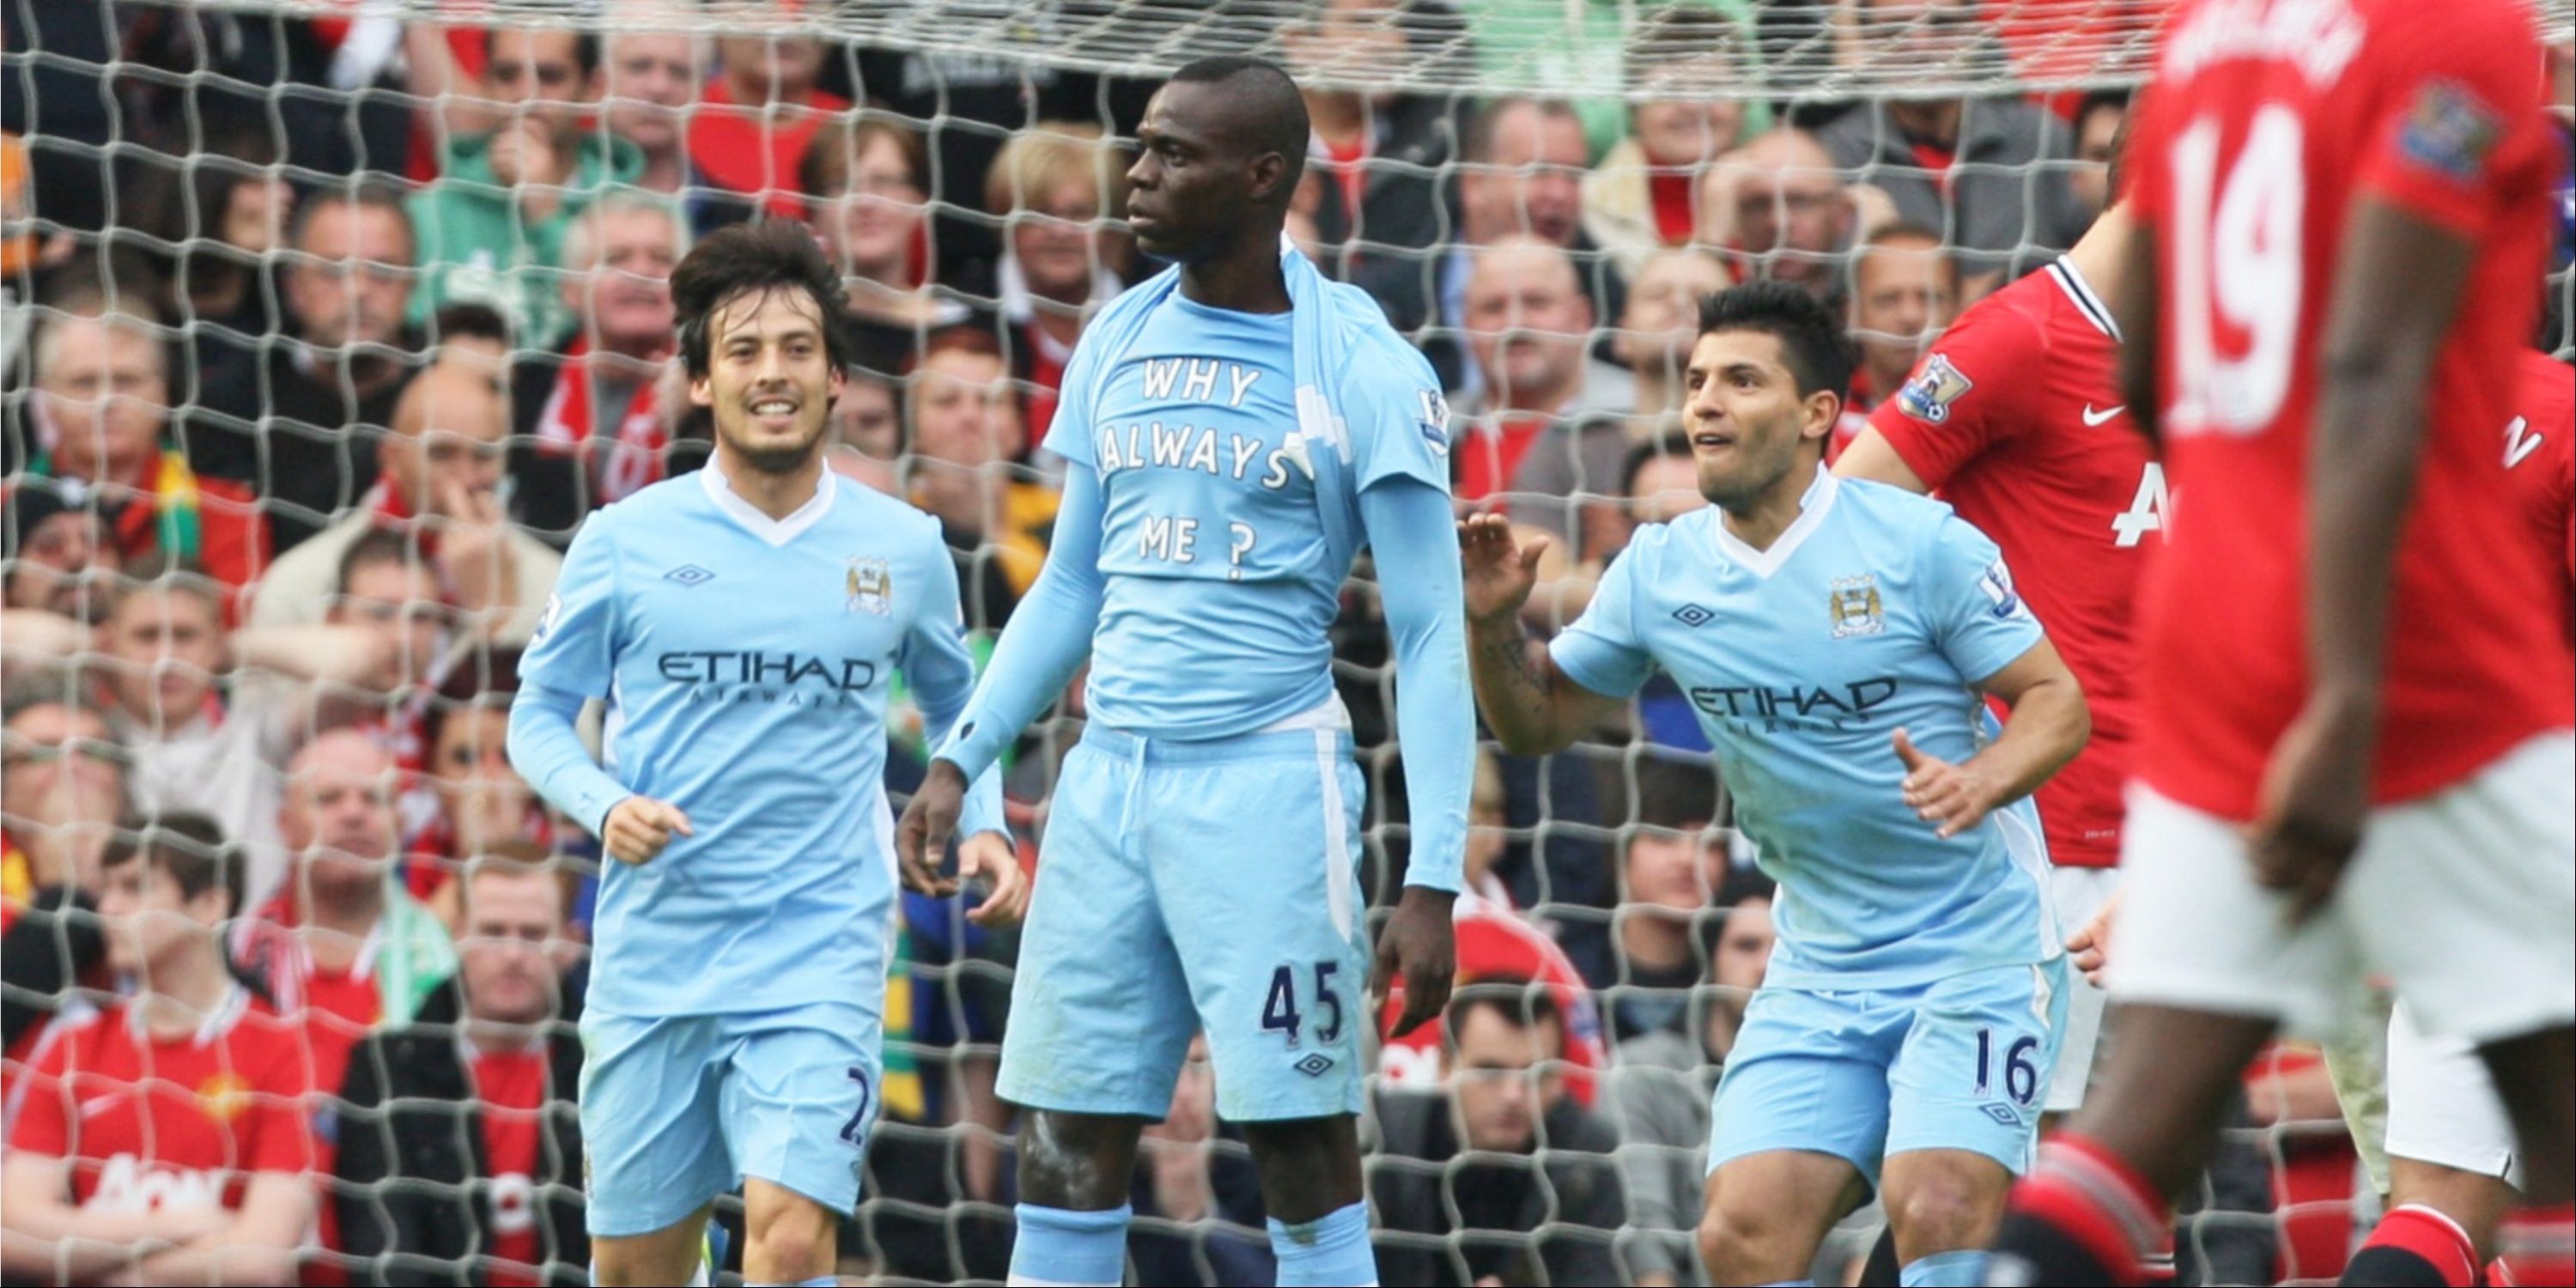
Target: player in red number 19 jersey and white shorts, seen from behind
2356, 715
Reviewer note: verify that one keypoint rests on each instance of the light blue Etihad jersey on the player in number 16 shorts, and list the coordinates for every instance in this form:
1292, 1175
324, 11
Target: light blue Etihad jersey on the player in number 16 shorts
1874, 612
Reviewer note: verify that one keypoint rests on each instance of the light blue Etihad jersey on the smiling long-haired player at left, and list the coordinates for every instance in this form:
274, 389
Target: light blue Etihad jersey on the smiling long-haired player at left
746, 666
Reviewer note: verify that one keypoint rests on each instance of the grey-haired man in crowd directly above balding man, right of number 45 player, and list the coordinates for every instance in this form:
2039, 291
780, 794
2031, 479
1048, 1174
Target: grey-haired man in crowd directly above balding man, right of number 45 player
1521, 176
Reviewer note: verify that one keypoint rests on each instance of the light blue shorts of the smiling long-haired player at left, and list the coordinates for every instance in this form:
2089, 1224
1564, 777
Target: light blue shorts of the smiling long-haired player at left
679, 1109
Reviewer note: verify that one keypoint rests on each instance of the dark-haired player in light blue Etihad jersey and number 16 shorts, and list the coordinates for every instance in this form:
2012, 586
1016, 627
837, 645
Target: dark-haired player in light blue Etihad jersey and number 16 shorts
1838, 643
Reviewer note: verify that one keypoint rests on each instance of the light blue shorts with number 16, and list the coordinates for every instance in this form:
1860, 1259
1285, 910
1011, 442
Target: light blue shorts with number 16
1871, 1073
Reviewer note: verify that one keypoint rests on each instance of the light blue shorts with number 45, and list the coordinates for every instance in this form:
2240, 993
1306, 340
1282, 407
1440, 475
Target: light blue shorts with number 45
1197, 887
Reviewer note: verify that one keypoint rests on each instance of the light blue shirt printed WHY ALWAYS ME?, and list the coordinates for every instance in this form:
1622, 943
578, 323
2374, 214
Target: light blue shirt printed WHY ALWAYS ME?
1212, 547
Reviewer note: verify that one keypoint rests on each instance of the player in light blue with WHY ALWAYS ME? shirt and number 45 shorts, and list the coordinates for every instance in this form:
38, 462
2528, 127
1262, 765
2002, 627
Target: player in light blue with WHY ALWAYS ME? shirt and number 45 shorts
1238, 431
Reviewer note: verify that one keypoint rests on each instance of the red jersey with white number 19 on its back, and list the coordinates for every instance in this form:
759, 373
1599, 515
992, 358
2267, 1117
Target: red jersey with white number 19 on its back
2266, 128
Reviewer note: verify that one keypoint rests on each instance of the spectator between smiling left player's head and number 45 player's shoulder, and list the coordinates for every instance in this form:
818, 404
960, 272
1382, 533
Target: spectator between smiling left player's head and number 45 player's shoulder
967, 434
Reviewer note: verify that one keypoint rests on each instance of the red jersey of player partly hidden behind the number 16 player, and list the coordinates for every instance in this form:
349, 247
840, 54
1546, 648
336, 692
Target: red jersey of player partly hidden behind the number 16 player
2016, 421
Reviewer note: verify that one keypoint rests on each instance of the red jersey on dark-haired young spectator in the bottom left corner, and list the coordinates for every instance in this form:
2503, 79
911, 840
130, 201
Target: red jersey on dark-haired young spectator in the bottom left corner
161, 1124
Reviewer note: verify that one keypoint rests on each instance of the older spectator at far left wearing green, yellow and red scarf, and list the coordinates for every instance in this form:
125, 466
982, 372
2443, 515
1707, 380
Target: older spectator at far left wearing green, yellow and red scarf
102, 416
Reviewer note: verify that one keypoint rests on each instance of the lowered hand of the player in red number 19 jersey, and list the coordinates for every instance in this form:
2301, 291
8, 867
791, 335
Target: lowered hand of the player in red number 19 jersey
2312, 805
